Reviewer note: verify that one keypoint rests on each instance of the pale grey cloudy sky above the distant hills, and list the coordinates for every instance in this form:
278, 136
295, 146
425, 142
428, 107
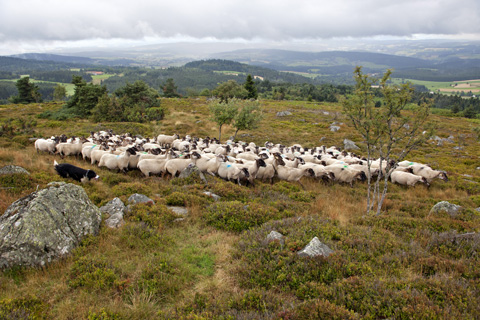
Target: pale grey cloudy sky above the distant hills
49, 25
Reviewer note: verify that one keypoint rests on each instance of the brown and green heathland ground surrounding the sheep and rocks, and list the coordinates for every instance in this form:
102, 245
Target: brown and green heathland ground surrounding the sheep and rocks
403, 264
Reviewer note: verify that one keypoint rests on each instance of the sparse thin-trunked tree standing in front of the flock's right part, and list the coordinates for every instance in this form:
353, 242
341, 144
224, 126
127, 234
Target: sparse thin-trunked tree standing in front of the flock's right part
389, 132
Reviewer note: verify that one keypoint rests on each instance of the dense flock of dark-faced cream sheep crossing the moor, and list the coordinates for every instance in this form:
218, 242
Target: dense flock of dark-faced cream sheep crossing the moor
168, 155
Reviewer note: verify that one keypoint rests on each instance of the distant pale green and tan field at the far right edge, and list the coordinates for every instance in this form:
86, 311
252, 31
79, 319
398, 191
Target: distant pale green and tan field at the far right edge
453, 87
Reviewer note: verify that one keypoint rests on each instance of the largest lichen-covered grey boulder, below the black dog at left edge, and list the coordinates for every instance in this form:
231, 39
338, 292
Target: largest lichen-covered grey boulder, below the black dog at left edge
46, 225
